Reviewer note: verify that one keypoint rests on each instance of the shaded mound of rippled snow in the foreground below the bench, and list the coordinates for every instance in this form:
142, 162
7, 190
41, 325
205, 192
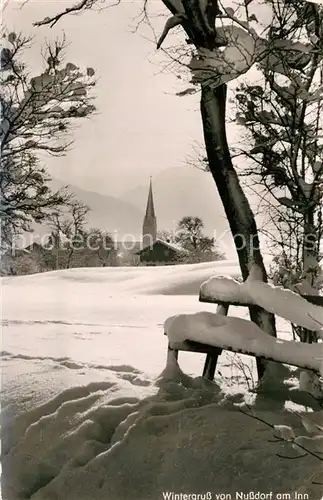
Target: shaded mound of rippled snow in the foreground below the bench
92, 443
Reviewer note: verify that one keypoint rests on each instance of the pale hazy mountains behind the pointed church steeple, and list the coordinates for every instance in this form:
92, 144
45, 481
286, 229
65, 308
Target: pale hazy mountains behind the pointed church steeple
177, 192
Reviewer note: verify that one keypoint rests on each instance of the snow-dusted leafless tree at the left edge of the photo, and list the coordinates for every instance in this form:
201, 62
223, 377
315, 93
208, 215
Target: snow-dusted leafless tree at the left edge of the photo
37, 112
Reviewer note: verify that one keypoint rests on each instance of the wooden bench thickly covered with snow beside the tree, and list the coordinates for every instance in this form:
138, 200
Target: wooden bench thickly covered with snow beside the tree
211, 333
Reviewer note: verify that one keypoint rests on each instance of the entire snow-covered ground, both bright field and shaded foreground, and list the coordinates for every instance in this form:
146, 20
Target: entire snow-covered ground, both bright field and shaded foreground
83, 416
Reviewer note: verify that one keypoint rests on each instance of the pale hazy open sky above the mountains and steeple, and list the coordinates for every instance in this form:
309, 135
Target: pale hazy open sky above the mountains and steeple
141, 126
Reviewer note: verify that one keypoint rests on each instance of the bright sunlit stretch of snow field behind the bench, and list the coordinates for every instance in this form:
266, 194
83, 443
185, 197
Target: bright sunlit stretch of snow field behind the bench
78, 323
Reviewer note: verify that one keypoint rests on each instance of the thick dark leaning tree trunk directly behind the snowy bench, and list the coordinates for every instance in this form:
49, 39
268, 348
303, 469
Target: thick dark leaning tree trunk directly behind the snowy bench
236, 206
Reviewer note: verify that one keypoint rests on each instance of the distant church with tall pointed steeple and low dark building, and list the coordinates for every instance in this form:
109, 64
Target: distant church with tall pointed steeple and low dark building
156, 251
